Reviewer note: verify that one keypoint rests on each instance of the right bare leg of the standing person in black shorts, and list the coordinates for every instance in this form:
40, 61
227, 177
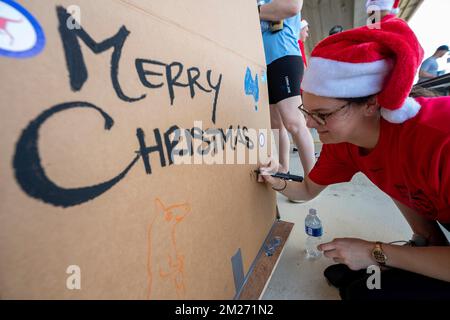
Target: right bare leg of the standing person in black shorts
295, 123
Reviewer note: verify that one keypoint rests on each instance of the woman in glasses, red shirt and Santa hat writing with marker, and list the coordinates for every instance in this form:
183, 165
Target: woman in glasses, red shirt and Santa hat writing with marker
355, 94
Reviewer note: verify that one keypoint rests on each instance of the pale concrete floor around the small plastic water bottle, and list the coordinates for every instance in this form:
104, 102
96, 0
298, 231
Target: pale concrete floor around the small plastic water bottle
357, 209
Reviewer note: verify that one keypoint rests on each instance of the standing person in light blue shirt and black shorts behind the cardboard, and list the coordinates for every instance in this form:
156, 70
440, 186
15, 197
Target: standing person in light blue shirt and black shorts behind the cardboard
284, 74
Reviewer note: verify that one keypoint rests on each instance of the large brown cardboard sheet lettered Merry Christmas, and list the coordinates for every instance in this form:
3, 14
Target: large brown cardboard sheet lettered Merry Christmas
84, 198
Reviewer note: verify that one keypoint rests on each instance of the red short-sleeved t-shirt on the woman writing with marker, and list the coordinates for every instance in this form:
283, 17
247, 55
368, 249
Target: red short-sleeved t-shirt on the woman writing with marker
411, 162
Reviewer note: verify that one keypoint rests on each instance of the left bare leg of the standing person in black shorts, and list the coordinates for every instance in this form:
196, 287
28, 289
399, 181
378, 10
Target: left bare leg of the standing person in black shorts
281, 136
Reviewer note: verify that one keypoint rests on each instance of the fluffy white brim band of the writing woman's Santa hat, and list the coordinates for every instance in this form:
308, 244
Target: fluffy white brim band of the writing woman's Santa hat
335, 79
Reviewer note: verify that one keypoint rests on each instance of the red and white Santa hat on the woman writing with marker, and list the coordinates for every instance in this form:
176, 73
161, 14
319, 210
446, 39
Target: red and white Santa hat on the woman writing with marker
363, 62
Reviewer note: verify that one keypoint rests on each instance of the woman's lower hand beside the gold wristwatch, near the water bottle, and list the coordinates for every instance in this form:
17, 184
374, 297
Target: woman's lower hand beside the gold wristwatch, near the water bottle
355, 253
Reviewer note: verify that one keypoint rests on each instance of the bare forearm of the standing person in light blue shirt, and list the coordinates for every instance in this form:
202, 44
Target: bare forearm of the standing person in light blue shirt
280, 9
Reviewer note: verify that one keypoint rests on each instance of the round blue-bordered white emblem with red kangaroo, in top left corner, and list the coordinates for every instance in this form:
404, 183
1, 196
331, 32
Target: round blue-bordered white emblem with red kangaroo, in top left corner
21, 35
